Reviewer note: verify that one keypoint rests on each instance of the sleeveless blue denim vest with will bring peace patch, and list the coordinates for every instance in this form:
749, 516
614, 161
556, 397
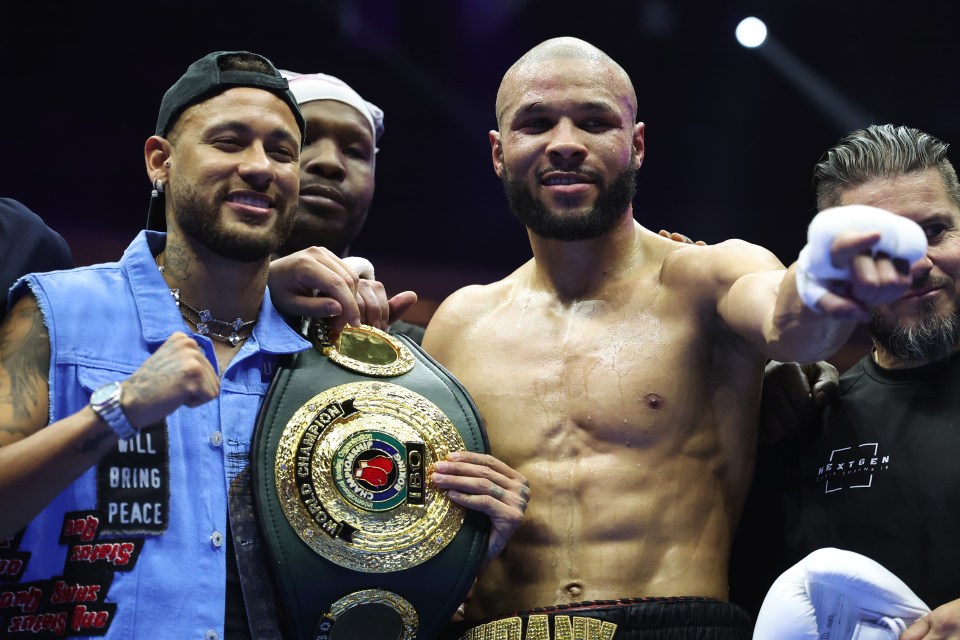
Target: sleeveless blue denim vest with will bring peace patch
137, 543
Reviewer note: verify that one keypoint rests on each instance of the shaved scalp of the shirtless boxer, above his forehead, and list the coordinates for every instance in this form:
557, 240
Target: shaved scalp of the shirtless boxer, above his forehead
525, 70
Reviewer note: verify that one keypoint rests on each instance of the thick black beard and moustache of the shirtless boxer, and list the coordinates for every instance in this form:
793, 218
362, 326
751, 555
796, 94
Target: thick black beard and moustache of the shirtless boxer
612, 201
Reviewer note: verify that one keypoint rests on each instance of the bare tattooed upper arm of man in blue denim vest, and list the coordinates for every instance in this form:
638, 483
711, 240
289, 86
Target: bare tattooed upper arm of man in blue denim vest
24, 365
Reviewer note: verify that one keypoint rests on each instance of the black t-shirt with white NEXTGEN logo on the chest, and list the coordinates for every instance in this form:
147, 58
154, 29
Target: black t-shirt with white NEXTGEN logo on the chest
883, 476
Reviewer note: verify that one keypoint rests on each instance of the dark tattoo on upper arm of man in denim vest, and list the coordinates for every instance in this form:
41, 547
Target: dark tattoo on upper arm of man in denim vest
25, 356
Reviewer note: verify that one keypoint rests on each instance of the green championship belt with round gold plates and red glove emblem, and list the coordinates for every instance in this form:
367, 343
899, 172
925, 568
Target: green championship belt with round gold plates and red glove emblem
359, 542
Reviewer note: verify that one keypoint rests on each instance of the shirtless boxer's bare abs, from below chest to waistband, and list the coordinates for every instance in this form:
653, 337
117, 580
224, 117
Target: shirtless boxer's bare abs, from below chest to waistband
604, 527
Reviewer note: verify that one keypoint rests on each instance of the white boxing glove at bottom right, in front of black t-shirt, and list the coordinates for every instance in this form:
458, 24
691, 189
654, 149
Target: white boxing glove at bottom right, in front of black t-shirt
839, 595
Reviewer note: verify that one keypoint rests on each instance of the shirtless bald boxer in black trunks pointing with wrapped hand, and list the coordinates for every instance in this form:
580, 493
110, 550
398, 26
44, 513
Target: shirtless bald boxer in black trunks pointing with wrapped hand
620, 371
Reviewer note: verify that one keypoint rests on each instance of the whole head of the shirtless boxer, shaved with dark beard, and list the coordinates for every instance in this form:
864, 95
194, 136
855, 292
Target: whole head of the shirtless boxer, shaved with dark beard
568, 145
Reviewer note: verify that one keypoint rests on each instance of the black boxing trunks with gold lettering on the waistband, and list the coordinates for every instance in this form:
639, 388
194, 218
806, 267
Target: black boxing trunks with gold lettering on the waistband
675, 618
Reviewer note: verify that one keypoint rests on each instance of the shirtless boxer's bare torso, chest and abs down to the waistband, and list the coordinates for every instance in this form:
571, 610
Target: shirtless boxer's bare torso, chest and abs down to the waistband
636, 434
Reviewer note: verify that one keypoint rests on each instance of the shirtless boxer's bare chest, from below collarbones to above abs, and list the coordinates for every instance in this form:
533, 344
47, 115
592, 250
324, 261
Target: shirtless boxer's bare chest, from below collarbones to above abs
599, 372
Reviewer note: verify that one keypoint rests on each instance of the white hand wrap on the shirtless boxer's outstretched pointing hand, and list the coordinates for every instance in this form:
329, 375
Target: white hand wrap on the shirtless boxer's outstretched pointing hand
900, 238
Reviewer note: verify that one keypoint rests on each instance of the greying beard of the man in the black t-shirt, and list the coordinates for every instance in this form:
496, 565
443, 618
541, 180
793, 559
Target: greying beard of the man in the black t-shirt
932, 337
